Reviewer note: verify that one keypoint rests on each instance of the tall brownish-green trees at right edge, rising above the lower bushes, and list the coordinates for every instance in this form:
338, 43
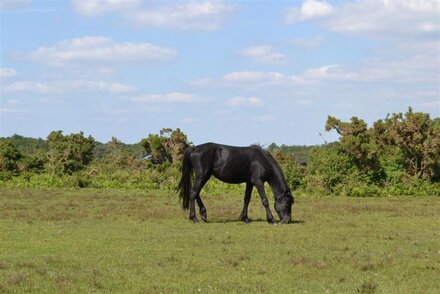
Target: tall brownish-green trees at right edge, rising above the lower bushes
410, 141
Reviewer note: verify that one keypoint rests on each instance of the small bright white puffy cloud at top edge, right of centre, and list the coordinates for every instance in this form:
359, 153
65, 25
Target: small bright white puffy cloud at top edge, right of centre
310, 9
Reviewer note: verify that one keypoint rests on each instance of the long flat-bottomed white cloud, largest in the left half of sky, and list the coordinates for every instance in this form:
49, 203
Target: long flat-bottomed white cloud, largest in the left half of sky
92, 50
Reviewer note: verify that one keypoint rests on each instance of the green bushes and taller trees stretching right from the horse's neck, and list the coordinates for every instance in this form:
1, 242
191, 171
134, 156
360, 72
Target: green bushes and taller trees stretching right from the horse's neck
398, 155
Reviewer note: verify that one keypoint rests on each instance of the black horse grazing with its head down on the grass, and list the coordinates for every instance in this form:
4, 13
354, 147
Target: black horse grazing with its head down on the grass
251, 165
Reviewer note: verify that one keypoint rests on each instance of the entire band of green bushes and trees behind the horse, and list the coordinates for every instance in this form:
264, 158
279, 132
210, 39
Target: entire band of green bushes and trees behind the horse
398, 155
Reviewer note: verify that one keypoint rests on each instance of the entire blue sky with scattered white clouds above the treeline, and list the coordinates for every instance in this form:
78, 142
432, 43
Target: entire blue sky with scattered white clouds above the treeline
234, 72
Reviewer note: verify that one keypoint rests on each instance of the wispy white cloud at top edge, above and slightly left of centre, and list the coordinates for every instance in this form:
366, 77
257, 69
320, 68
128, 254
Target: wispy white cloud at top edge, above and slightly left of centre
193, 15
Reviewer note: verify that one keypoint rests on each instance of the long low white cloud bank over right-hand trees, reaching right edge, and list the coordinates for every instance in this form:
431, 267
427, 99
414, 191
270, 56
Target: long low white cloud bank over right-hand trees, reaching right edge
418, 69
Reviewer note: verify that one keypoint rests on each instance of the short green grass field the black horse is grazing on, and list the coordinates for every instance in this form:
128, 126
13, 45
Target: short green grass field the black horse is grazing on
92, 241
